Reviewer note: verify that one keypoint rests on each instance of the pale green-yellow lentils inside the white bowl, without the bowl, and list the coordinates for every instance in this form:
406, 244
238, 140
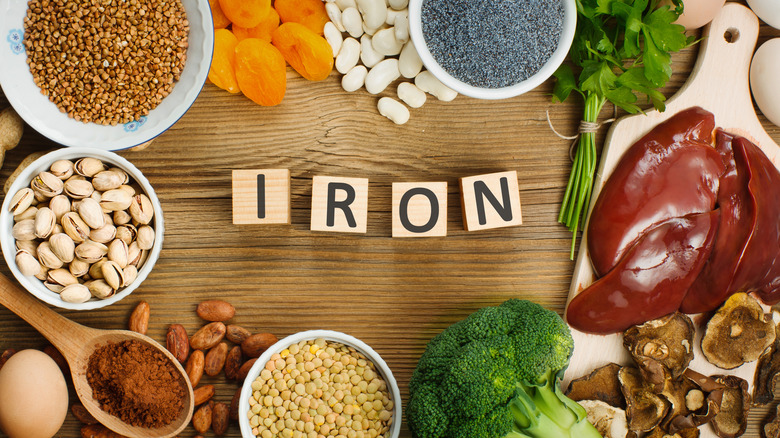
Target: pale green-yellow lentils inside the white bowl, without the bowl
320, 388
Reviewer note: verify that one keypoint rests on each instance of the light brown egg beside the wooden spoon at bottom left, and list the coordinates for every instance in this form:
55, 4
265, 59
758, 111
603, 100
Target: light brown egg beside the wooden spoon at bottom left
33, 396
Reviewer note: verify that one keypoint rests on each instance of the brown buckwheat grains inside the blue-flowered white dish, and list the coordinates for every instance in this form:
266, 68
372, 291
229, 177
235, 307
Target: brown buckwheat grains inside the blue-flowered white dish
106, 62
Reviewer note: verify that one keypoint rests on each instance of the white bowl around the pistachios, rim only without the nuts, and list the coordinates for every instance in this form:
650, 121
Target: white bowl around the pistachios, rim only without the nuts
7, 242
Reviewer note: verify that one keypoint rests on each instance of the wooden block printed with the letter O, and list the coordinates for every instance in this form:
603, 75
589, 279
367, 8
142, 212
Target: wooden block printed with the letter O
420, 209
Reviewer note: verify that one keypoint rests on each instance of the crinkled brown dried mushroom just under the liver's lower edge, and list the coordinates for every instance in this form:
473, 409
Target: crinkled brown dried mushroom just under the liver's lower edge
661, 346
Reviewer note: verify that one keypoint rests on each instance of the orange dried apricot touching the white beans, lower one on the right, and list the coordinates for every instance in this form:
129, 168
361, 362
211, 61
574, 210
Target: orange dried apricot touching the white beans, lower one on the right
308, 53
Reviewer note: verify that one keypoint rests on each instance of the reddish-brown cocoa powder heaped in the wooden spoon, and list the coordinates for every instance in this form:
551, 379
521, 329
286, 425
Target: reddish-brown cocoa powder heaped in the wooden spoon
136, 383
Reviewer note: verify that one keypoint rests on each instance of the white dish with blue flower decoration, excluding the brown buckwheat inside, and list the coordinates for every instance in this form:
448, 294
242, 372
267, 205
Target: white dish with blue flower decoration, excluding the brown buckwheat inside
44, 116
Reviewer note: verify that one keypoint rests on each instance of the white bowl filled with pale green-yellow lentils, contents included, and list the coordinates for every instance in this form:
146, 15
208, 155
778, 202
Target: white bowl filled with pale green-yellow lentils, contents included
320, 383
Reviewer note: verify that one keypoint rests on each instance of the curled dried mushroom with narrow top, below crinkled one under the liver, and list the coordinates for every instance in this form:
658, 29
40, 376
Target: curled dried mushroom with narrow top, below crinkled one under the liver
645, 410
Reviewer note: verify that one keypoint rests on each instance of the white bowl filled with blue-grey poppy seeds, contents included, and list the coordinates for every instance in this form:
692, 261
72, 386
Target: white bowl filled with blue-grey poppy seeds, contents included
492, 49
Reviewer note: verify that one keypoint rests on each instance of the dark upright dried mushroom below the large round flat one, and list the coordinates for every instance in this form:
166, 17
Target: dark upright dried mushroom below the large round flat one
731, 421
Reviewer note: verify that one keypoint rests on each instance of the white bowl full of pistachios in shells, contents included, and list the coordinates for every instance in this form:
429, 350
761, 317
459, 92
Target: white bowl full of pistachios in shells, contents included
81, 228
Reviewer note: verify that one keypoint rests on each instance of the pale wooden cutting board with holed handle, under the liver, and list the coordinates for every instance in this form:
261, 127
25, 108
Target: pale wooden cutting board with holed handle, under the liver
718, 83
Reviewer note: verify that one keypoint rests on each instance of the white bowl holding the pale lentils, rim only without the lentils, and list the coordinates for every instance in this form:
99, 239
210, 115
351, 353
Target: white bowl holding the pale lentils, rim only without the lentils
381, 367
